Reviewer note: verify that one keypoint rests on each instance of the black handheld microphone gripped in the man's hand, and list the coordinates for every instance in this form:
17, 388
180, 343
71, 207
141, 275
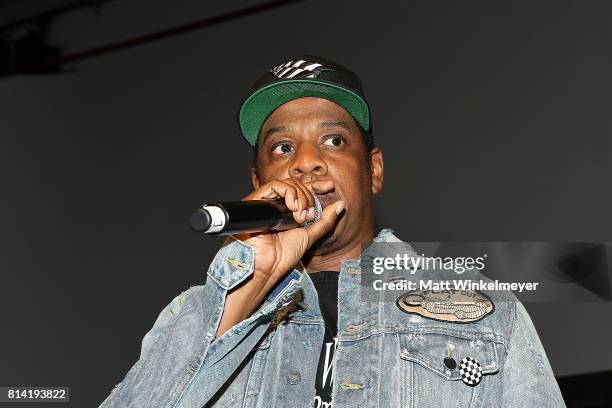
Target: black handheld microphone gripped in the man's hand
234, 217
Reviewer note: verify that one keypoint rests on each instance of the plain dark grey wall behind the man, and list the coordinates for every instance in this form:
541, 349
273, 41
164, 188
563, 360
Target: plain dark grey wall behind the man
494, 118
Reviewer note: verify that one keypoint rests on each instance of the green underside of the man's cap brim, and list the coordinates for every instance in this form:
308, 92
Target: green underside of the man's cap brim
256, 109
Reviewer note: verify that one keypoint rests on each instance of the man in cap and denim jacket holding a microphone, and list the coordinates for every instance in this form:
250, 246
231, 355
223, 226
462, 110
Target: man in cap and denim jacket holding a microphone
281, 320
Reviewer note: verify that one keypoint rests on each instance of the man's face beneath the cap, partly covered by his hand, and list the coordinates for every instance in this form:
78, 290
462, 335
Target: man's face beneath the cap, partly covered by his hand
311, 139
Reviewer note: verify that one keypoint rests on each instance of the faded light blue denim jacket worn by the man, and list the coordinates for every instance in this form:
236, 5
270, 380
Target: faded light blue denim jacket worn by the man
384, 357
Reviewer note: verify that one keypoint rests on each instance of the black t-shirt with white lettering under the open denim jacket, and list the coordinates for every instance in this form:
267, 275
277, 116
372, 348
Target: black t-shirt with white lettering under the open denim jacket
326, 284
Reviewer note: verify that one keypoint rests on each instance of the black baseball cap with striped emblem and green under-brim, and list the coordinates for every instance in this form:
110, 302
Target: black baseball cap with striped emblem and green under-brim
305, 75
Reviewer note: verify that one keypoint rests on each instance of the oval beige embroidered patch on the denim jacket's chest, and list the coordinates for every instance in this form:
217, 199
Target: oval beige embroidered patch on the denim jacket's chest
455, 306
